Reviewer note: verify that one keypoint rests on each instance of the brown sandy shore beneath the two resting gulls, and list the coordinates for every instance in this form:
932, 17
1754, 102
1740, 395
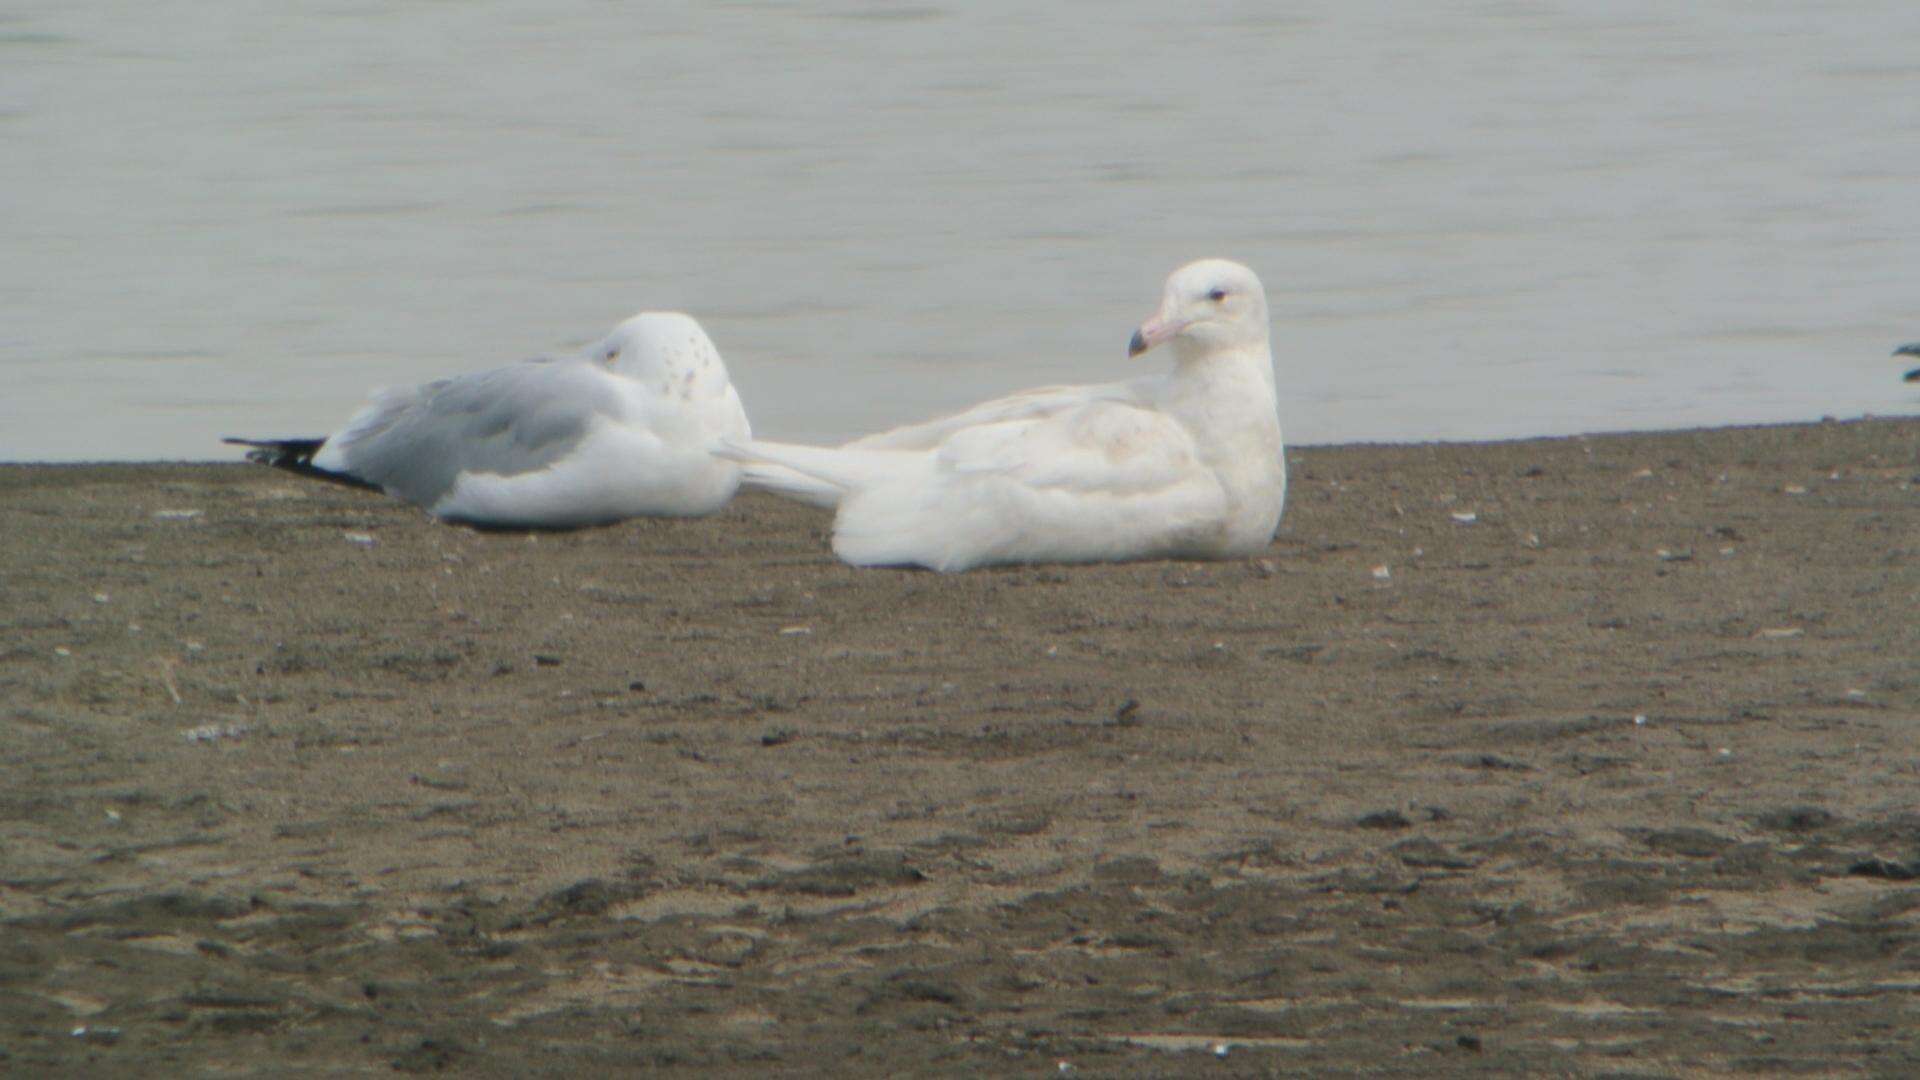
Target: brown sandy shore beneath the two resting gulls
1591, 756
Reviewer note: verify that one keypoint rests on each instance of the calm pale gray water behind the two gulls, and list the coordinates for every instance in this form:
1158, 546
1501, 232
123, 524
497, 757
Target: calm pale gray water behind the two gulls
1474, 220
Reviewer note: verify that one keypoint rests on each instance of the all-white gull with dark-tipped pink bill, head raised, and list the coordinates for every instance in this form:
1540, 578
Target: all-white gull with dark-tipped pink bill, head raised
1186, 464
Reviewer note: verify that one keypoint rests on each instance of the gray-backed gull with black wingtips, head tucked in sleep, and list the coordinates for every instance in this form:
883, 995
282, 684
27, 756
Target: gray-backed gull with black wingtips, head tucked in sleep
619, 431
